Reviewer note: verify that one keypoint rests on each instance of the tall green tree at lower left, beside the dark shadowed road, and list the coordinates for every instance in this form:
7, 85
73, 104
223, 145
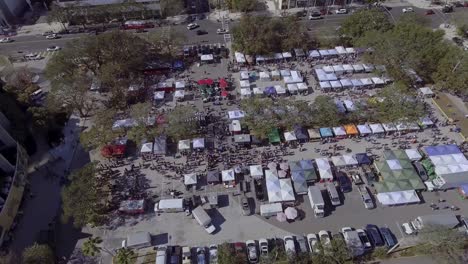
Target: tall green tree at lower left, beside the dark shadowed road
82, 200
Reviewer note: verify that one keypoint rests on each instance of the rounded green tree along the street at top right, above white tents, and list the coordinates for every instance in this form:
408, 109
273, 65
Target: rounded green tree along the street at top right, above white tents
363, 21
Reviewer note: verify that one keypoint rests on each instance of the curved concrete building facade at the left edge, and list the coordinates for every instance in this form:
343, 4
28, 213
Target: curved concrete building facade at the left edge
13, 172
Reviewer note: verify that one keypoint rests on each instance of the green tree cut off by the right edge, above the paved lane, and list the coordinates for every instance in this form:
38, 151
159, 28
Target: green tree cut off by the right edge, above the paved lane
452, 72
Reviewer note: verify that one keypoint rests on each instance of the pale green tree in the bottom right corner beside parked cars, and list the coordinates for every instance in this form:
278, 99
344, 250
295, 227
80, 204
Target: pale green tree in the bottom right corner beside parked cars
446, 245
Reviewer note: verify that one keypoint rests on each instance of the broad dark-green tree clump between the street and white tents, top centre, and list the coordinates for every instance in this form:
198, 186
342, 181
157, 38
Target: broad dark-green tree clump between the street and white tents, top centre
256, 35
